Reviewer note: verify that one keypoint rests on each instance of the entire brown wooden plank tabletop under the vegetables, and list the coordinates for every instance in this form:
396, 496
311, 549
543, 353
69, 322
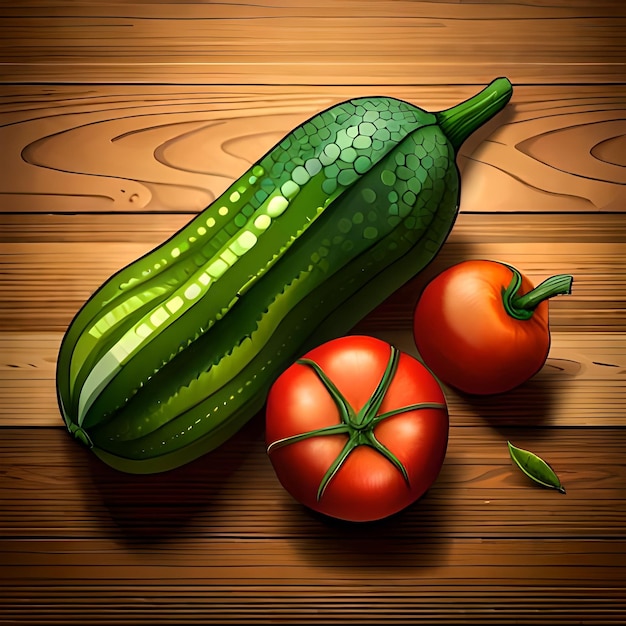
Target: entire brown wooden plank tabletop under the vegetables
119, 122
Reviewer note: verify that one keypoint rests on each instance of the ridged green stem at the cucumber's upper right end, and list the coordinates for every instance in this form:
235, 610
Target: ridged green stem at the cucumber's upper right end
460, 121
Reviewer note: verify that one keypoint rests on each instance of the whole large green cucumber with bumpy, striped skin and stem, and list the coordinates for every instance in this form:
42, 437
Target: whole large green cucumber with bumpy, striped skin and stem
177, 351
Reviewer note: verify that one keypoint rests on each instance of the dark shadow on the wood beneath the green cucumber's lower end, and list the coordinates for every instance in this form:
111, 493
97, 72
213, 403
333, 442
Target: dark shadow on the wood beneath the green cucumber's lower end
151, 508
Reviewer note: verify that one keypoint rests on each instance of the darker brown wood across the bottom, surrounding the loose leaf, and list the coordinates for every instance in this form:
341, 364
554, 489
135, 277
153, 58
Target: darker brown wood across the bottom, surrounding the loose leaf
221, 538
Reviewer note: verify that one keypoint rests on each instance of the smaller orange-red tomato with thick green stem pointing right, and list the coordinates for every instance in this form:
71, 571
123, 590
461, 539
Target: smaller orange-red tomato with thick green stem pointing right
482, 327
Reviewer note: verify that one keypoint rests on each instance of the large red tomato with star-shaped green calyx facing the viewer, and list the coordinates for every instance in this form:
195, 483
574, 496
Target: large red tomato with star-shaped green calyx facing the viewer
356, 429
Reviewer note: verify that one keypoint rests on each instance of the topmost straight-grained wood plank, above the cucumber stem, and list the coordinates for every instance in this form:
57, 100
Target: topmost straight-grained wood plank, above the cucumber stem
383, 42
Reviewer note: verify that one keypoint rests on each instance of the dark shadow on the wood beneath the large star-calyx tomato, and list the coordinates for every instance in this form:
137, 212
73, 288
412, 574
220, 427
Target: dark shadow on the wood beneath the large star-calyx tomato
414, 537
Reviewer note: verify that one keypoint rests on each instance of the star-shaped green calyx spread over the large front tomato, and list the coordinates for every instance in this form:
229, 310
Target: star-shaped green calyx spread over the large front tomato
357, 425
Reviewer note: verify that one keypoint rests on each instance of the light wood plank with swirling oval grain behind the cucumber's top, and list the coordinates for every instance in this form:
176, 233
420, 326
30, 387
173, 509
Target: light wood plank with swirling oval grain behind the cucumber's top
157, 148
